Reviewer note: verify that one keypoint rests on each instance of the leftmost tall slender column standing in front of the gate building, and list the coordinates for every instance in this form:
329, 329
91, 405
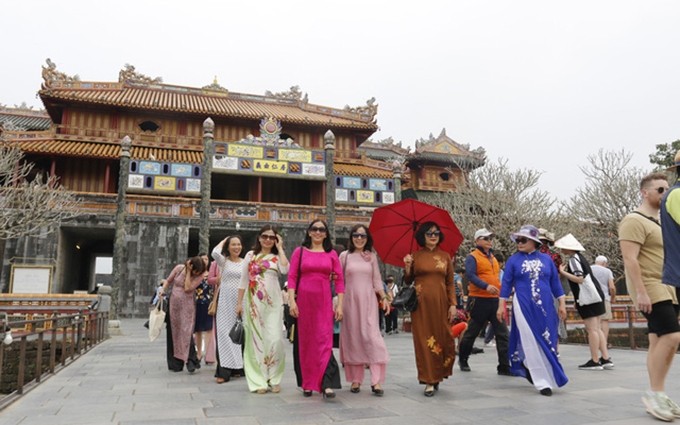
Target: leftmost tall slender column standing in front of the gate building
121, 213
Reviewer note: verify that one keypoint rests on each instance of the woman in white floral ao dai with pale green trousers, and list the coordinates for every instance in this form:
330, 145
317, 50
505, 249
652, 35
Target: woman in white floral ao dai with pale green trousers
264, 357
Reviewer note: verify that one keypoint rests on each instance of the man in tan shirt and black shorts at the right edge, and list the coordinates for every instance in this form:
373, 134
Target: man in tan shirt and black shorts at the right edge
642, 249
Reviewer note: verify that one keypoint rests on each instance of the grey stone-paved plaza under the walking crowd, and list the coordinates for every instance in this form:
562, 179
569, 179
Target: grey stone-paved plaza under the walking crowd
125, 381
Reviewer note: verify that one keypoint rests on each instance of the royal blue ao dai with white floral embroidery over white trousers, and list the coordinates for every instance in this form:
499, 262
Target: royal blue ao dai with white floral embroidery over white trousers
533, 335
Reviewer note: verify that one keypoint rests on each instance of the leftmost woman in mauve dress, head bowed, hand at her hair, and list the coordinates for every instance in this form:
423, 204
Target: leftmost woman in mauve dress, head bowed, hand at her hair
183, 281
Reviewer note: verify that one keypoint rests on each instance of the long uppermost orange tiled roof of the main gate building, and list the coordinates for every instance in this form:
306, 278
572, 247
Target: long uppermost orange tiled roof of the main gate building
209, 103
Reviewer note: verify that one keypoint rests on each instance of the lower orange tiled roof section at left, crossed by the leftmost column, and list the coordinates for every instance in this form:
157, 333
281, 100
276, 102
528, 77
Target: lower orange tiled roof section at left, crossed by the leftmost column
108, 151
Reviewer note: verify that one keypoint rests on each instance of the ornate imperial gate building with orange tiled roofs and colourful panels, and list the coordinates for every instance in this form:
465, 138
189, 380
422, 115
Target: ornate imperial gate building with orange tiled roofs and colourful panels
249, 159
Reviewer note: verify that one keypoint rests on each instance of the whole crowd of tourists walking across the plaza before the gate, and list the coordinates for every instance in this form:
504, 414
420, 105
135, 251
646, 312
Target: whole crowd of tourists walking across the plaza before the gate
326, 287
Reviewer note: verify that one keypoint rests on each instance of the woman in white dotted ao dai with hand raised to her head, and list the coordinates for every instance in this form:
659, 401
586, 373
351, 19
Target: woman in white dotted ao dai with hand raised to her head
227, 255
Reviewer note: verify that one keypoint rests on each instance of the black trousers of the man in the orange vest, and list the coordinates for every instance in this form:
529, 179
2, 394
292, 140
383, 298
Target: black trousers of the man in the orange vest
484, 310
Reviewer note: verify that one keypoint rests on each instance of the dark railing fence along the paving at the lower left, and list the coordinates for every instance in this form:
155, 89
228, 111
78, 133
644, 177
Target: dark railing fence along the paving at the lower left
74, 335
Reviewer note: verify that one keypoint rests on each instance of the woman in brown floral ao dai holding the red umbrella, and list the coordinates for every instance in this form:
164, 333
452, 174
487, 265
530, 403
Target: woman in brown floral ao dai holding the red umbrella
431, 271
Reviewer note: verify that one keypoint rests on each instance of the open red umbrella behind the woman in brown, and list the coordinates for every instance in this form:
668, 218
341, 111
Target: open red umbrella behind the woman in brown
394, 226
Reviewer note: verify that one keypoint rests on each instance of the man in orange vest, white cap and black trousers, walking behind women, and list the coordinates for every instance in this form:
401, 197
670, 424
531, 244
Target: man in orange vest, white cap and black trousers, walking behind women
483, 273
